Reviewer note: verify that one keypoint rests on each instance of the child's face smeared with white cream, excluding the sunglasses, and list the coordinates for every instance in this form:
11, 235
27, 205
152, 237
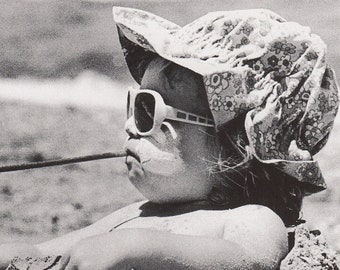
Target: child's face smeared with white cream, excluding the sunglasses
163, 167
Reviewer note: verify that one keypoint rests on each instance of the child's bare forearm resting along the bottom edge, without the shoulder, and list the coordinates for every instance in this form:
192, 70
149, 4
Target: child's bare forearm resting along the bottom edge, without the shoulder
148, 249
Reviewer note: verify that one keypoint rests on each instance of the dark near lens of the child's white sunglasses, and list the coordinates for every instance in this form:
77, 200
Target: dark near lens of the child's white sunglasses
144, 111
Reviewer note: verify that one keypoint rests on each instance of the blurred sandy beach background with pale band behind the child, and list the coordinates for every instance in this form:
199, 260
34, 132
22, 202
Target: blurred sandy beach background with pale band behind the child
62, 94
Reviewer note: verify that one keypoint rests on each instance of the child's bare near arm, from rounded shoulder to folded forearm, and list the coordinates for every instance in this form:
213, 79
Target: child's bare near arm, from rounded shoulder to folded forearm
151, 249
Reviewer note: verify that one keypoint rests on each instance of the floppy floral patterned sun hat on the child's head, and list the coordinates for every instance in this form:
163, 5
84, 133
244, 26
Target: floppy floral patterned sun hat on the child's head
253, 63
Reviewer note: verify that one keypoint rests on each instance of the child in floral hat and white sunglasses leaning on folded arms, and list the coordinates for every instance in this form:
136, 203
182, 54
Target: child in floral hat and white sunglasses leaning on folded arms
230, 110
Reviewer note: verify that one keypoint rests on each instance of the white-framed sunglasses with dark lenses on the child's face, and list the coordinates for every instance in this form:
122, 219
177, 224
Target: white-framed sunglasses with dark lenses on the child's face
149, 111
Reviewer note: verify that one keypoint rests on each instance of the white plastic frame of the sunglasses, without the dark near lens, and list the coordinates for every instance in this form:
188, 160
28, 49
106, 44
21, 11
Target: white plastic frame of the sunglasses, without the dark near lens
162, 112
